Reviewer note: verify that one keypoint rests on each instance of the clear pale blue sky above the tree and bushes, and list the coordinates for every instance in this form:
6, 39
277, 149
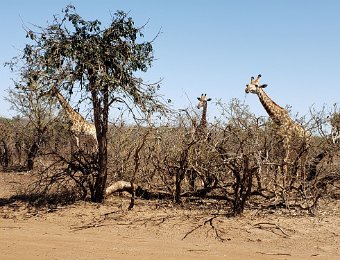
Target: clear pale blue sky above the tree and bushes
213, 46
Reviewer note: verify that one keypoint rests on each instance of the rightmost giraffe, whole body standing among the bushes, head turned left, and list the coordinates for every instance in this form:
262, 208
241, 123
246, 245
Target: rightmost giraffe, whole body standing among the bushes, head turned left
288, 130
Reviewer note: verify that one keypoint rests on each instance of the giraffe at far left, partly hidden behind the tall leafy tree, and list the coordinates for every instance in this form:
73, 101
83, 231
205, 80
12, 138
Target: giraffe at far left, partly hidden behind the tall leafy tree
78, 125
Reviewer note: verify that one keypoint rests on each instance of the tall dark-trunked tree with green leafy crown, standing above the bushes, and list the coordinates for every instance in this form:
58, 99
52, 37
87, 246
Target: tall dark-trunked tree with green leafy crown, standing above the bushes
75, 55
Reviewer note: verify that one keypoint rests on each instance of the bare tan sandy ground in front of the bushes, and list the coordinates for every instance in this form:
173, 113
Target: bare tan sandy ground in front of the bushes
154, 230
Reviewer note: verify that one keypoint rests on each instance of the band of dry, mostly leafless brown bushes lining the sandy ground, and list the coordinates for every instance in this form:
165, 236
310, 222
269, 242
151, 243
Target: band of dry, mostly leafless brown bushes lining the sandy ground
236, 165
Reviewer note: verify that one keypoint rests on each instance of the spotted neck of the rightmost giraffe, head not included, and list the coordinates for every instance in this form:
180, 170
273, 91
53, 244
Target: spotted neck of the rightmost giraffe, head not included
276, 113
